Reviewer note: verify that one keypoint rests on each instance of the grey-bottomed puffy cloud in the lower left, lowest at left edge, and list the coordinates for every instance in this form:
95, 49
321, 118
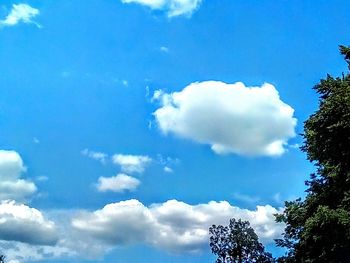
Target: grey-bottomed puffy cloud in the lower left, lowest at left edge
21, 223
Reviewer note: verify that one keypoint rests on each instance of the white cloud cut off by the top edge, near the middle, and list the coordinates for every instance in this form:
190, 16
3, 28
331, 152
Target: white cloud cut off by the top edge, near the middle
172, 7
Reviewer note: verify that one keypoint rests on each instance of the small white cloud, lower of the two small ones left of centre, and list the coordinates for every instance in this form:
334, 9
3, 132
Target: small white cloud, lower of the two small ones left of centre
118, 183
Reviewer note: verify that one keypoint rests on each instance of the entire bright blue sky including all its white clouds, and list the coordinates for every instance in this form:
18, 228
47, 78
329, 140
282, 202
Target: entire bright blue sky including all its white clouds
128, 127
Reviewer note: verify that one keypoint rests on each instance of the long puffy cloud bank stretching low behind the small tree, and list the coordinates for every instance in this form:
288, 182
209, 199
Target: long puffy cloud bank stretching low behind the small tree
173, 226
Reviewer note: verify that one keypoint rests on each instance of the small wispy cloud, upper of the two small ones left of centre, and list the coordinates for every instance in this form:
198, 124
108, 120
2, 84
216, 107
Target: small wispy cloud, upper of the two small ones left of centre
131, 163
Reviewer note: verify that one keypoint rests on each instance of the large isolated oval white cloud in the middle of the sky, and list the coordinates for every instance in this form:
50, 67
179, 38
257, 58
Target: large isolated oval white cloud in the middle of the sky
232, 118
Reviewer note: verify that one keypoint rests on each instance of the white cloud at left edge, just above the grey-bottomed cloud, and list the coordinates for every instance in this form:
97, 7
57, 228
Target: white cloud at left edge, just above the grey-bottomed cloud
11, 186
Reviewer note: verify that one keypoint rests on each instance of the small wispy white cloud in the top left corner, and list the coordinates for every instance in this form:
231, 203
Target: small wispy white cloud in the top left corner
20, 13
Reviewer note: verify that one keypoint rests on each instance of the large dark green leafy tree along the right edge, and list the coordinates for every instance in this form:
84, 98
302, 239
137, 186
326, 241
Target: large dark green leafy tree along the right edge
318, 228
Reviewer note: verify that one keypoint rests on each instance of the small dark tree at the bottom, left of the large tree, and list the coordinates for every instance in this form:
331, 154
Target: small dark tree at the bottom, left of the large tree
237, 243
